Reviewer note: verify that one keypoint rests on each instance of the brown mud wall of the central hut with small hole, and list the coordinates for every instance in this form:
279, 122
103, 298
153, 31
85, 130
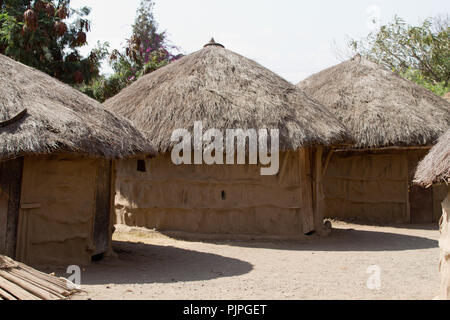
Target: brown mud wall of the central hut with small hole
223, 199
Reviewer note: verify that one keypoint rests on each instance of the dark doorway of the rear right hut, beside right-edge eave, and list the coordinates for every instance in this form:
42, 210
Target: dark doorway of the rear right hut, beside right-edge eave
421, 204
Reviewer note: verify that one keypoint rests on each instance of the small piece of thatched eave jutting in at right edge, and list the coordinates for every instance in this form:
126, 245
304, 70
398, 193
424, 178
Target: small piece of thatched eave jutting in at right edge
436, 165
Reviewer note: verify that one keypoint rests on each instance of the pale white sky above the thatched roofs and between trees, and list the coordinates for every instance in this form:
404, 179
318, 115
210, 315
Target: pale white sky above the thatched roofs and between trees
290, 37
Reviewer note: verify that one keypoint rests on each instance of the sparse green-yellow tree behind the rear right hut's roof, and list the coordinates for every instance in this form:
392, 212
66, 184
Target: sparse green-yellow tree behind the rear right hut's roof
418, 53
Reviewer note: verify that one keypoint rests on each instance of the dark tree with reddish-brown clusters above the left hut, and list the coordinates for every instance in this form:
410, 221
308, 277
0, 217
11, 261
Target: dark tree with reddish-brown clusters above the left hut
47, 35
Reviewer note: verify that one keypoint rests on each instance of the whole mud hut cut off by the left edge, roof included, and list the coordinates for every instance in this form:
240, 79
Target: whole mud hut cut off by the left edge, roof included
55, 151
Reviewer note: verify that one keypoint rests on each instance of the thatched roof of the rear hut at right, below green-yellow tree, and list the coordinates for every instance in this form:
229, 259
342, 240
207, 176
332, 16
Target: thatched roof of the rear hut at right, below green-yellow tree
380, 108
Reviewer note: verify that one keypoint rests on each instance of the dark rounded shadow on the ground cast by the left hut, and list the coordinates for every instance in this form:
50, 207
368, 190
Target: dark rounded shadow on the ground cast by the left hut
144, 263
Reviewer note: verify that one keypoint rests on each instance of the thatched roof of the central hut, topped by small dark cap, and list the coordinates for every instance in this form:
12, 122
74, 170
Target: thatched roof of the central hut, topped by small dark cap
225, 91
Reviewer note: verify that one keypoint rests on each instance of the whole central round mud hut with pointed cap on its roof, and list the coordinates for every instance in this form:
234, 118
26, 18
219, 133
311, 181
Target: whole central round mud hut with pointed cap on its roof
224, 90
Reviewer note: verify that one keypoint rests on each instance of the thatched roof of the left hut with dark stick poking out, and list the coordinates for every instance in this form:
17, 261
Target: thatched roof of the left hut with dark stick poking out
40, 115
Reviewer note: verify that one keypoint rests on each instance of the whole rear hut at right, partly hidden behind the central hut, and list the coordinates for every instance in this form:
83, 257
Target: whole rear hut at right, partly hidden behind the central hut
394, 123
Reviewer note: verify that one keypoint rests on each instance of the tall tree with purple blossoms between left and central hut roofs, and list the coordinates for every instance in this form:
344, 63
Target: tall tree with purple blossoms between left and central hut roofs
146, 51
